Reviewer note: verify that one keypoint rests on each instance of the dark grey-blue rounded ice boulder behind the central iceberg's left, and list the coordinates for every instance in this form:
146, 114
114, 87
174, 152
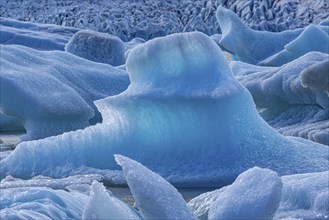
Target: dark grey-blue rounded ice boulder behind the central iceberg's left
98, 47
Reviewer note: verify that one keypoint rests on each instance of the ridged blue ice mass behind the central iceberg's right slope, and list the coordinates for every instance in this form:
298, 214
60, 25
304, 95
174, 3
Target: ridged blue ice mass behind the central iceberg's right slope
291, 107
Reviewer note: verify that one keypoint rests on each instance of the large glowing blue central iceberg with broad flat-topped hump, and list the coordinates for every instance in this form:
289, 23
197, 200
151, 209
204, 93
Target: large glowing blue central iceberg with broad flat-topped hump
184, 116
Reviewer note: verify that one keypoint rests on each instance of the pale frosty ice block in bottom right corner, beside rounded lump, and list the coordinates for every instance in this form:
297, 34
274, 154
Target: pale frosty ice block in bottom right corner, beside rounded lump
304, 196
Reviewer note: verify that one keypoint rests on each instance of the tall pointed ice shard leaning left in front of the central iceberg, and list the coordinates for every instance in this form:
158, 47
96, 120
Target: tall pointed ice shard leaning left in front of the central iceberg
154, 196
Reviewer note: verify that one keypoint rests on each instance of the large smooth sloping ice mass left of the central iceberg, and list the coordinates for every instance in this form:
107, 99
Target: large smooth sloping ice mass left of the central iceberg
49, 93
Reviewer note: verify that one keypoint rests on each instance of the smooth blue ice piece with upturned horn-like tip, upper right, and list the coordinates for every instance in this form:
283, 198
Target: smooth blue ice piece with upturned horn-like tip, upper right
249, 45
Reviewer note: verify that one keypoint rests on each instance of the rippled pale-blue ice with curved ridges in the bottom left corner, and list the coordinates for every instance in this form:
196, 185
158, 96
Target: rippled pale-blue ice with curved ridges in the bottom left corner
40, 203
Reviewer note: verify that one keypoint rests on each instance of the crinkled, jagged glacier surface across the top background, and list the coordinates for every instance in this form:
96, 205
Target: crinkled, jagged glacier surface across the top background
149, 19
